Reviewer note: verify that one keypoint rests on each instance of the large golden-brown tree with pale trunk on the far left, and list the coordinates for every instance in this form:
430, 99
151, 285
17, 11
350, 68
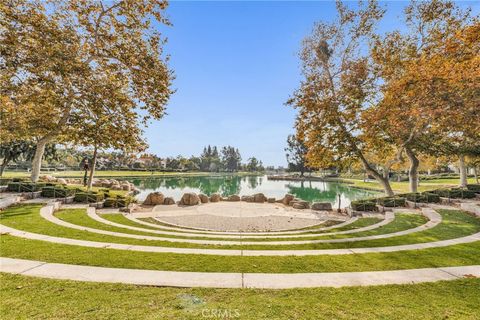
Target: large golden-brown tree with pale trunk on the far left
52, 52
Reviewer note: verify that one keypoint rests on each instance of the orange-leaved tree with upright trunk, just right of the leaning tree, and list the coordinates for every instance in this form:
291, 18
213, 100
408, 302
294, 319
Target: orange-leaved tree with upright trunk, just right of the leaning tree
417, 82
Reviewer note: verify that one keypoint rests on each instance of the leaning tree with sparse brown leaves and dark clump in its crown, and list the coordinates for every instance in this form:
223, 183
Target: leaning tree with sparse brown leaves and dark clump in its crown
338, 85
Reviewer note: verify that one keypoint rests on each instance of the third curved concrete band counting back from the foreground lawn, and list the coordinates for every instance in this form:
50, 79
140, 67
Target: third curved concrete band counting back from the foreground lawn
434, 217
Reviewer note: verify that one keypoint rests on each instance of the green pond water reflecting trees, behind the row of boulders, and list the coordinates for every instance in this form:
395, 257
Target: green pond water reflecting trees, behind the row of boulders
247, 185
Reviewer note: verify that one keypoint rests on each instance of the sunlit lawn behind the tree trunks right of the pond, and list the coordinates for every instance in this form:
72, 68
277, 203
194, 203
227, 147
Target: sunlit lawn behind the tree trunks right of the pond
402, 187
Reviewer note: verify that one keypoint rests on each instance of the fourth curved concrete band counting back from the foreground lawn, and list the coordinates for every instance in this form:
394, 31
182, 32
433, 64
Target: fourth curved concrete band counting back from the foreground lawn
389, 217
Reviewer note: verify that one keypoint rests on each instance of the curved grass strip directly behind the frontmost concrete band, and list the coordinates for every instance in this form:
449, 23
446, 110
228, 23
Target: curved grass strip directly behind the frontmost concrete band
466, 254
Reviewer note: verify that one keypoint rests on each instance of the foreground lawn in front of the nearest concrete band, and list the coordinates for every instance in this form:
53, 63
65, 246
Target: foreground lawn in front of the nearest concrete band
27, 298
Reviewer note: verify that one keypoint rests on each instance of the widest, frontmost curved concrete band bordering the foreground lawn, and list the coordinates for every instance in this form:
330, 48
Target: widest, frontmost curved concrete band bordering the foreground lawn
232, 280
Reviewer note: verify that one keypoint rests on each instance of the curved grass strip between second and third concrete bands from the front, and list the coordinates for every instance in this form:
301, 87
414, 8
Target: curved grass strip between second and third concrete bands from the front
27, 218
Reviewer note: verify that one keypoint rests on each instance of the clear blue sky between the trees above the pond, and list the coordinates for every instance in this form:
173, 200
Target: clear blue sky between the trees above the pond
236, 64
